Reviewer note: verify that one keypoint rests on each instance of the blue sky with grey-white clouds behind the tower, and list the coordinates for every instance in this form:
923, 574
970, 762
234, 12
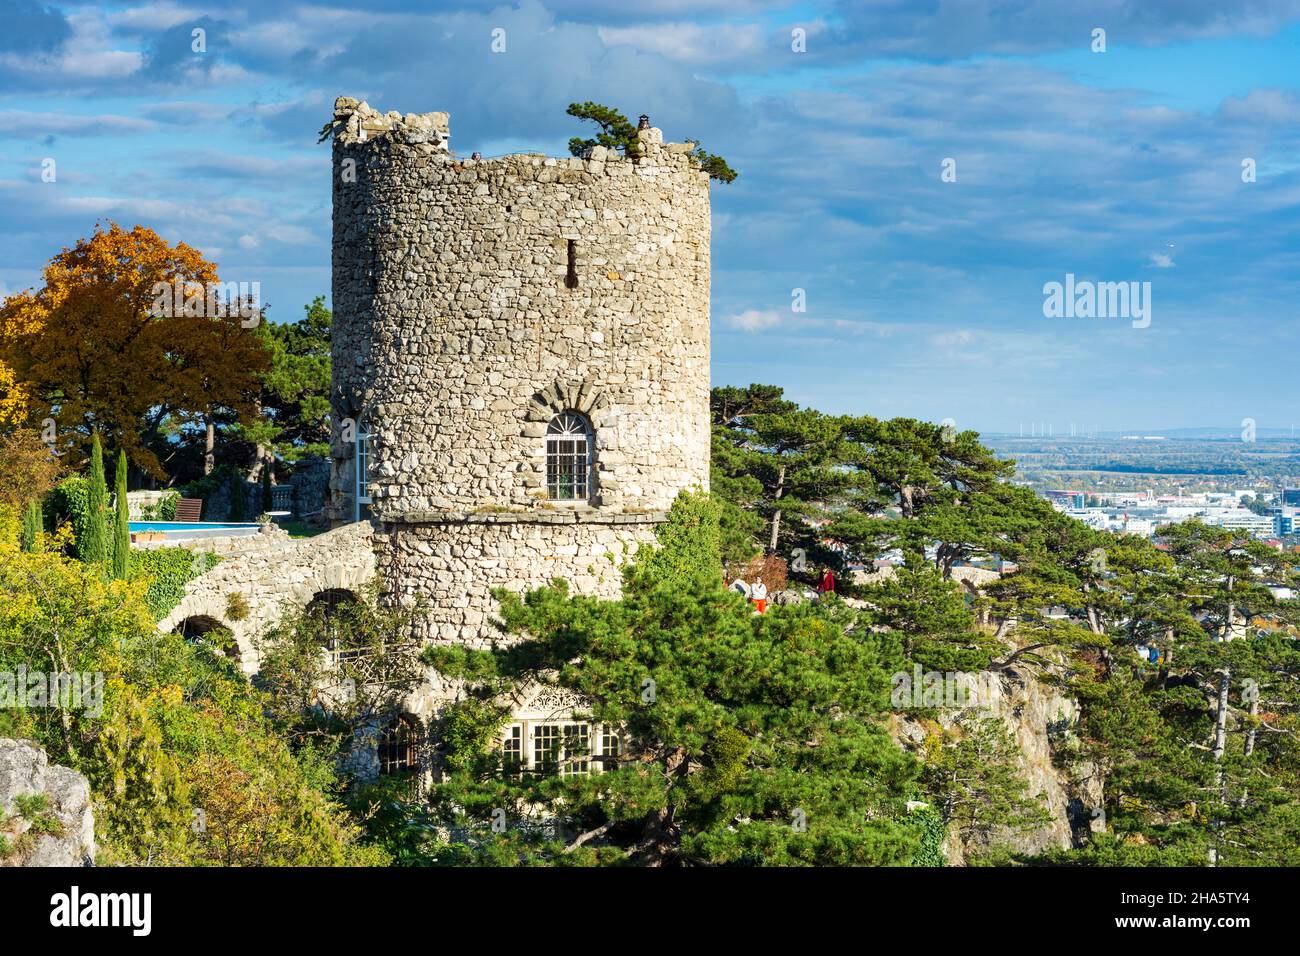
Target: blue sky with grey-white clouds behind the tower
925, 299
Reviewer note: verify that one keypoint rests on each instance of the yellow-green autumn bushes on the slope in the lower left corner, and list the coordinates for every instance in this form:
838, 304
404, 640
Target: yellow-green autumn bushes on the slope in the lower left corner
184, 765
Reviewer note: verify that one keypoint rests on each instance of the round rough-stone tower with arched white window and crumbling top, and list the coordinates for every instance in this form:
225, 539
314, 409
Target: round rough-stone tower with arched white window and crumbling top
526, 344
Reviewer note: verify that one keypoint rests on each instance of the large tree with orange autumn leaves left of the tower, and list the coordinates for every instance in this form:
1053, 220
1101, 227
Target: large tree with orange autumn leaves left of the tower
93, 349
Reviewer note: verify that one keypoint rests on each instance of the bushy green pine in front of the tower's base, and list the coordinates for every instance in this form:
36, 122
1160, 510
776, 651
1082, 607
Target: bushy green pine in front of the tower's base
746, 739
